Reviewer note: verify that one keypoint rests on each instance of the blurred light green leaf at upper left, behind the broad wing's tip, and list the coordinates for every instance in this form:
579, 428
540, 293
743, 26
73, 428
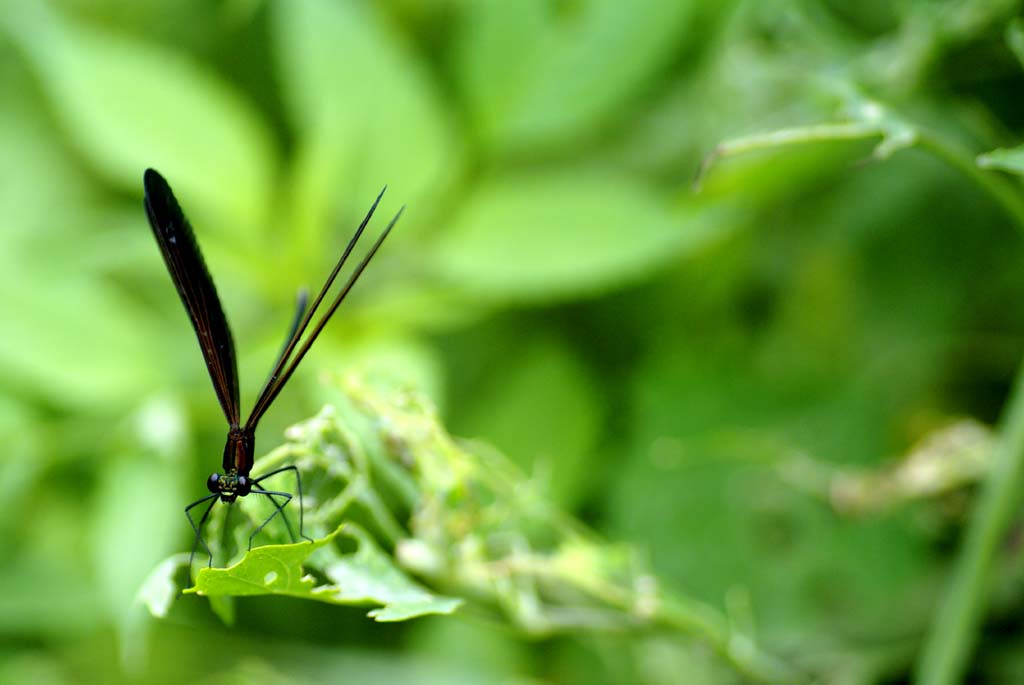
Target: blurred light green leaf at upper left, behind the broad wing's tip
129, 105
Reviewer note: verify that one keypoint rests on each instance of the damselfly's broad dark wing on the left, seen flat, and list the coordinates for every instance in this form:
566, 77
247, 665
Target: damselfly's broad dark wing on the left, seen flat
188, 270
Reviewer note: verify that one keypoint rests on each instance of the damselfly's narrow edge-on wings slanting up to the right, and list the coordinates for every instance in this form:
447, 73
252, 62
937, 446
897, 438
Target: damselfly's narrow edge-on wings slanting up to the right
287, 363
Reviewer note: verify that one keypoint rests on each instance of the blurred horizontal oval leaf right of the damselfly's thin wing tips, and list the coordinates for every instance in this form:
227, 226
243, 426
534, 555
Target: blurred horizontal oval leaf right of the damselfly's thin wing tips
552, 236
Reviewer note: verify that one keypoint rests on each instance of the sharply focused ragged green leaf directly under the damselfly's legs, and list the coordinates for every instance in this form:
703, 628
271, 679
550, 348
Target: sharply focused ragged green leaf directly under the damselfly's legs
367, 577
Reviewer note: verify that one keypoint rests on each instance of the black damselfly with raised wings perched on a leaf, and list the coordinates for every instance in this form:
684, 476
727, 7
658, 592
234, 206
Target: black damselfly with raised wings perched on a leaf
185, 262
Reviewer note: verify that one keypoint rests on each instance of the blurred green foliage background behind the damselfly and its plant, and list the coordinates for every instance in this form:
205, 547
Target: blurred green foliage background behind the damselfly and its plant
695, 373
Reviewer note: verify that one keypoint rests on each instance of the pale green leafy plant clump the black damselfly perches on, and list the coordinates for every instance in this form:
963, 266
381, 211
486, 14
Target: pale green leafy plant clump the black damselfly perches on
392, 495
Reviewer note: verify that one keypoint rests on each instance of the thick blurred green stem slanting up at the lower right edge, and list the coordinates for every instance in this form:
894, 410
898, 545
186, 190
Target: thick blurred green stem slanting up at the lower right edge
954, 634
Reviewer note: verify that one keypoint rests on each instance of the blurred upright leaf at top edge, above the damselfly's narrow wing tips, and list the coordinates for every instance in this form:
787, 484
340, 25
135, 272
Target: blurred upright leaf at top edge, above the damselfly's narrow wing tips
364, 108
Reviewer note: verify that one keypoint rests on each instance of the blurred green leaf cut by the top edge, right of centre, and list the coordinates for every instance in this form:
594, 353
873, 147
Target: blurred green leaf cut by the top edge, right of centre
536, 72
